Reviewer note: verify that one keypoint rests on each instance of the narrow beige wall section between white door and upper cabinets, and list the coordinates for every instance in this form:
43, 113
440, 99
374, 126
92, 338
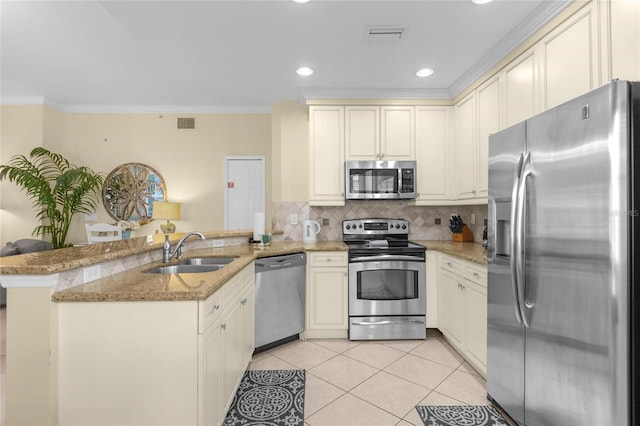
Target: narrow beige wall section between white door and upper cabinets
290, 151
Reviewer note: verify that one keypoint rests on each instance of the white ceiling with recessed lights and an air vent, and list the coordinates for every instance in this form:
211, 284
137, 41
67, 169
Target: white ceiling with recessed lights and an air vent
240, 55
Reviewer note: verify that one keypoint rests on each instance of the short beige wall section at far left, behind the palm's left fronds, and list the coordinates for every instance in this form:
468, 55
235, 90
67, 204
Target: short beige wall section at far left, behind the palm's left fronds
21, 130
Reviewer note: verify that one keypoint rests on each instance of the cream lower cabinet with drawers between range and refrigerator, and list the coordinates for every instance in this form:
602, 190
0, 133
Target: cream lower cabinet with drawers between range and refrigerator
462, 309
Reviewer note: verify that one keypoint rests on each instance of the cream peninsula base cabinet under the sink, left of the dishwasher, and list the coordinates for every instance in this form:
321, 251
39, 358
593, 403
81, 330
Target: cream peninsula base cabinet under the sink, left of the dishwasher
154, 363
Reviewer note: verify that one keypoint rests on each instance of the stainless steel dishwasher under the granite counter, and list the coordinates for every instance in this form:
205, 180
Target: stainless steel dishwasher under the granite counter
280, 299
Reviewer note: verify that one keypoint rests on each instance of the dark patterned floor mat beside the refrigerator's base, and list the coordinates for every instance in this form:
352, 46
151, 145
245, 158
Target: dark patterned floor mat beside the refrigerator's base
460, 415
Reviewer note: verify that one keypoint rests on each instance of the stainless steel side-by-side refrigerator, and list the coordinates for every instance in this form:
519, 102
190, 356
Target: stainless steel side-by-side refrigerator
563, 261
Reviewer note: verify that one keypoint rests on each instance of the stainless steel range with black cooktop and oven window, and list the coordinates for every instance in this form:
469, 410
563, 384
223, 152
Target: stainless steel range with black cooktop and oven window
387, 280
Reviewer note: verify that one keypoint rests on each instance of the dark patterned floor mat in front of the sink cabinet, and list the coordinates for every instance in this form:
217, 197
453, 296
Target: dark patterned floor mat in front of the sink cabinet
268, 398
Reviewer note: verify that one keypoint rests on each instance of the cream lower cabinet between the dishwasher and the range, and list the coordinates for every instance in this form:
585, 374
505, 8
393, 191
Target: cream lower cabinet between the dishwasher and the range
327, 295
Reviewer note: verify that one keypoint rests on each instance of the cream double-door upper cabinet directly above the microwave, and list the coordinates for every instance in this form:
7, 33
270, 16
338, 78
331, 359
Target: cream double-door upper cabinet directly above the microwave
379, 133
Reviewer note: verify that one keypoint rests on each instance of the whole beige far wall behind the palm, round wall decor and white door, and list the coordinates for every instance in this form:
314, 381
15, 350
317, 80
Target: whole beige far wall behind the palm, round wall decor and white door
190, 161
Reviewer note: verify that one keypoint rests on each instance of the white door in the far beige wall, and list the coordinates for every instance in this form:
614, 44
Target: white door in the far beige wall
244, 192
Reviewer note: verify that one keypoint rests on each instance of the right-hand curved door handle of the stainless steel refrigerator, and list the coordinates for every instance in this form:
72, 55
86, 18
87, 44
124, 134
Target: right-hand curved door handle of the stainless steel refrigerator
520, 237
